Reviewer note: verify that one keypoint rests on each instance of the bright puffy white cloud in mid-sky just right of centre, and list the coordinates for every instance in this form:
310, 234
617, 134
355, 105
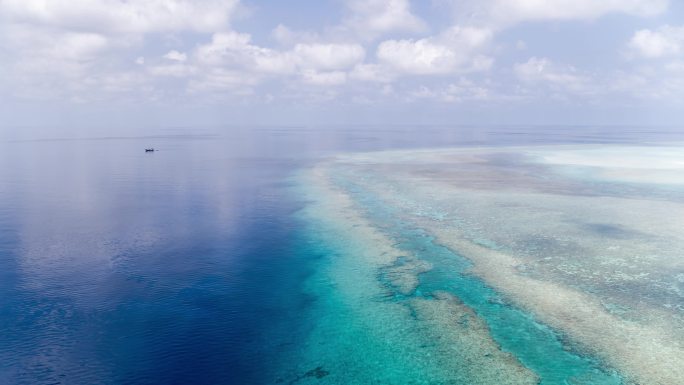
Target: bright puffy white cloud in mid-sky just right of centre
455, 50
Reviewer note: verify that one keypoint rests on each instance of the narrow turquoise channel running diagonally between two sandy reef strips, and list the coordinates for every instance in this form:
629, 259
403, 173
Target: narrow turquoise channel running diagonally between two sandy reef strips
536, 346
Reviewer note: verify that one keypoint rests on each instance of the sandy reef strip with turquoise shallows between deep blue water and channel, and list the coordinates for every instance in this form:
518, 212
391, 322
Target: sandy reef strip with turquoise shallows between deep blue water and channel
424, 338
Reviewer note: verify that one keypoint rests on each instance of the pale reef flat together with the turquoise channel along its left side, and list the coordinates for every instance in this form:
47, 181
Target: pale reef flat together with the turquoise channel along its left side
578, 276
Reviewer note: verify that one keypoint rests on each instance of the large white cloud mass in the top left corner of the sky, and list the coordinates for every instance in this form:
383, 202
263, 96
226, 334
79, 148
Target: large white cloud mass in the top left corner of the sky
81, 49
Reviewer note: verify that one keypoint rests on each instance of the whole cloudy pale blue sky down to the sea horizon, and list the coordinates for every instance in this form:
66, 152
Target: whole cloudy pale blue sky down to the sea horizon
227, 62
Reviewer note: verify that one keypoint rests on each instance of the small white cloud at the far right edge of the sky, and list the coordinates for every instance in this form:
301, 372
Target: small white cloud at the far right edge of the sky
666, 41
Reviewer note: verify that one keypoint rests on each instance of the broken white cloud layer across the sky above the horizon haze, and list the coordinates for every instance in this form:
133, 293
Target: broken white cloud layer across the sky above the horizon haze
377, 51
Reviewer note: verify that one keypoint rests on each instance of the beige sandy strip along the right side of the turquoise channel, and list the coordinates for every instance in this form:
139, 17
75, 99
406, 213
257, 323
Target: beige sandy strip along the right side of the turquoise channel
647, 355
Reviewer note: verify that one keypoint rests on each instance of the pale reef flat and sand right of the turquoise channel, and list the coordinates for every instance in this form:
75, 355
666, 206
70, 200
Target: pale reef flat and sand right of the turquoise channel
648, 350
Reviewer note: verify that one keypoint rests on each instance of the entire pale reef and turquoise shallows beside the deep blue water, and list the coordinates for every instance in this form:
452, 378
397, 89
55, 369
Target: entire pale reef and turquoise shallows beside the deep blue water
584, 243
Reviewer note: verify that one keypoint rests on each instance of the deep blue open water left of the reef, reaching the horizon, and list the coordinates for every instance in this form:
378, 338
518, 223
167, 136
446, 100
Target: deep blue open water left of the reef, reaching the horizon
180, 266
